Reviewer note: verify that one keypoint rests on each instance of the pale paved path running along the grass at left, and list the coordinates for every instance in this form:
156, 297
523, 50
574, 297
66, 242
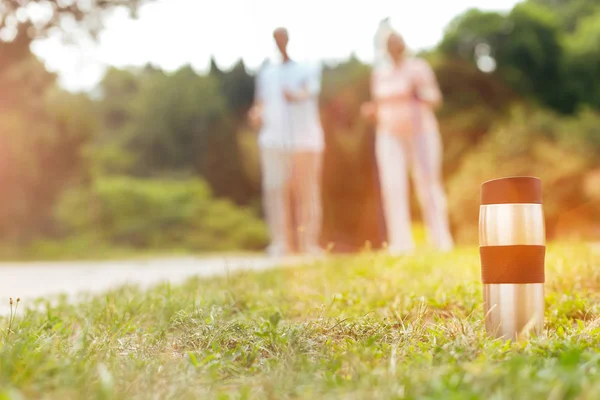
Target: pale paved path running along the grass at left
43, 279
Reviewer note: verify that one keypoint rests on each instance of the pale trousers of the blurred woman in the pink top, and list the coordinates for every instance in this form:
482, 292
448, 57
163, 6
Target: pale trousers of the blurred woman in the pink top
421, 153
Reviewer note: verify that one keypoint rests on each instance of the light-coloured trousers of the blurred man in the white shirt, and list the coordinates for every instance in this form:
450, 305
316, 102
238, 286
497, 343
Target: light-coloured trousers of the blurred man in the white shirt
292, 177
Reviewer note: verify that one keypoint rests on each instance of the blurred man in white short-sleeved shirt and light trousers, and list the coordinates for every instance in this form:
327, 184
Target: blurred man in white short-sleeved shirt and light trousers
291, 144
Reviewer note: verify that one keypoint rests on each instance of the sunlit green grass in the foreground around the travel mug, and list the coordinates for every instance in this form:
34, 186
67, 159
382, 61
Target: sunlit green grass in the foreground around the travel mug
360, 327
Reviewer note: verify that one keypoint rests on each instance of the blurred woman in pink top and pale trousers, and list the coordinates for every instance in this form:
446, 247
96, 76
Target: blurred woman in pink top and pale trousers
405, 93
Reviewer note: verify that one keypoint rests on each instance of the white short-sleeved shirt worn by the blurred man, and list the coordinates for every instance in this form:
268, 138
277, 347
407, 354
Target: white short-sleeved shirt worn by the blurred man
290, 125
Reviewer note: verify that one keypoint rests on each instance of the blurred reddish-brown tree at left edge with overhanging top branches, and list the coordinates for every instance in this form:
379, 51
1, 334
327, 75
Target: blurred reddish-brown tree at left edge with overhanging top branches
44, 131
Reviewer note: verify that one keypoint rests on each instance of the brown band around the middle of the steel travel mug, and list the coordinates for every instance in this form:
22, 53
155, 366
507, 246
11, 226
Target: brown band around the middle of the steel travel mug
518, 264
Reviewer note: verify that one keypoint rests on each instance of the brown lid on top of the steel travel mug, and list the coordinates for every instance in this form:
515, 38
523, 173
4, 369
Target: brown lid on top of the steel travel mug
511, 190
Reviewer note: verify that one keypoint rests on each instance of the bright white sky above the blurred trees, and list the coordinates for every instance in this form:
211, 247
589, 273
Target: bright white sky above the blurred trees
172, 33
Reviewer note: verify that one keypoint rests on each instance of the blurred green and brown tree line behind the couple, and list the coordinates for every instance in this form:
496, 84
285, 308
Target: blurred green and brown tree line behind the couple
522, 95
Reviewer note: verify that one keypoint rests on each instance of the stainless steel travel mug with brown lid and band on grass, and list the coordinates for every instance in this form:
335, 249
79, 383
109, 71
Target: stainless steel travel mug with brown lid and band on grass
512, 249
